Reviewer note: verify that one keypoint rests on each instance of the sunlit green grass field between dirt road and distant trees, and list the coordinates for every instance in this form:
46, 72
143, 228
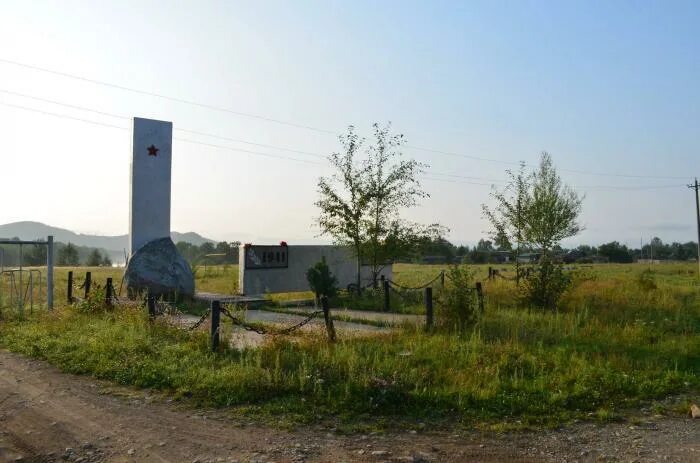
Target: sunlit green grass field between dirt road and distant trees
624, 338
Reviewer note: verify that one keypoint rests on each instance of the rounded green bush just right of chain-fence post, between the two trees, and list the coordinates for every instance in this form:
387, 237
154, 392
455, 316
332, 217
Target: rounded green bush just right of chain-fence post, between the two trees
459, 306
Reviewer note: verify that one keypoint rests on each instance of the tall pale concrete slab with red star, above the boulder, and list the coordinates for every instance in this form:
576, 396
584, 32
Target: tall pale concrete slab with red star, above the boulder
149, 215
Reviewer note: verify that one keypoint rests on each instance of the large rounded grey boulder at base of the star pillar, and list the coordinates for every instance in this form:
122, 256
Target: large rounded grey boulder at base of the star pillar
159, 268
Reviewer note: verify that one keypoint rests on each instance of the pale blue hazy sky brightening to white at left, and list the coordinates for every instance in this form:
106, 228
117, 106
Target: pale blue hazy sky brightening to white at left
604, 86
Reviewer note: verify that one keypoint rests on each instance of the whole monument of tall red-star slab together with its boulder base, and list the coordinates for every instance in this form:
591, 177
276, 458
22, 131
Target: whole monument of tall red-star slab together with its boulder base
155, 266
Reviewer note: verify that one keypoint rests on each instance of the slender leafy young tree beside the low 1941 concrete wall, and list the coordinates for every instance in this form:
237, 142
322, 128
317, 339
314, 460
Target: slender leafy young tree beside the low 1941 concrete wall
361, 202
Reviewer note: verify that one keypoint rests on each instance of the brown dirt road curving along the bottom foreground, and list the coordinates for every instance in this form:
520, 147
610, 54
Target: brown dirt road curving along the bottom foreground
48, 416
